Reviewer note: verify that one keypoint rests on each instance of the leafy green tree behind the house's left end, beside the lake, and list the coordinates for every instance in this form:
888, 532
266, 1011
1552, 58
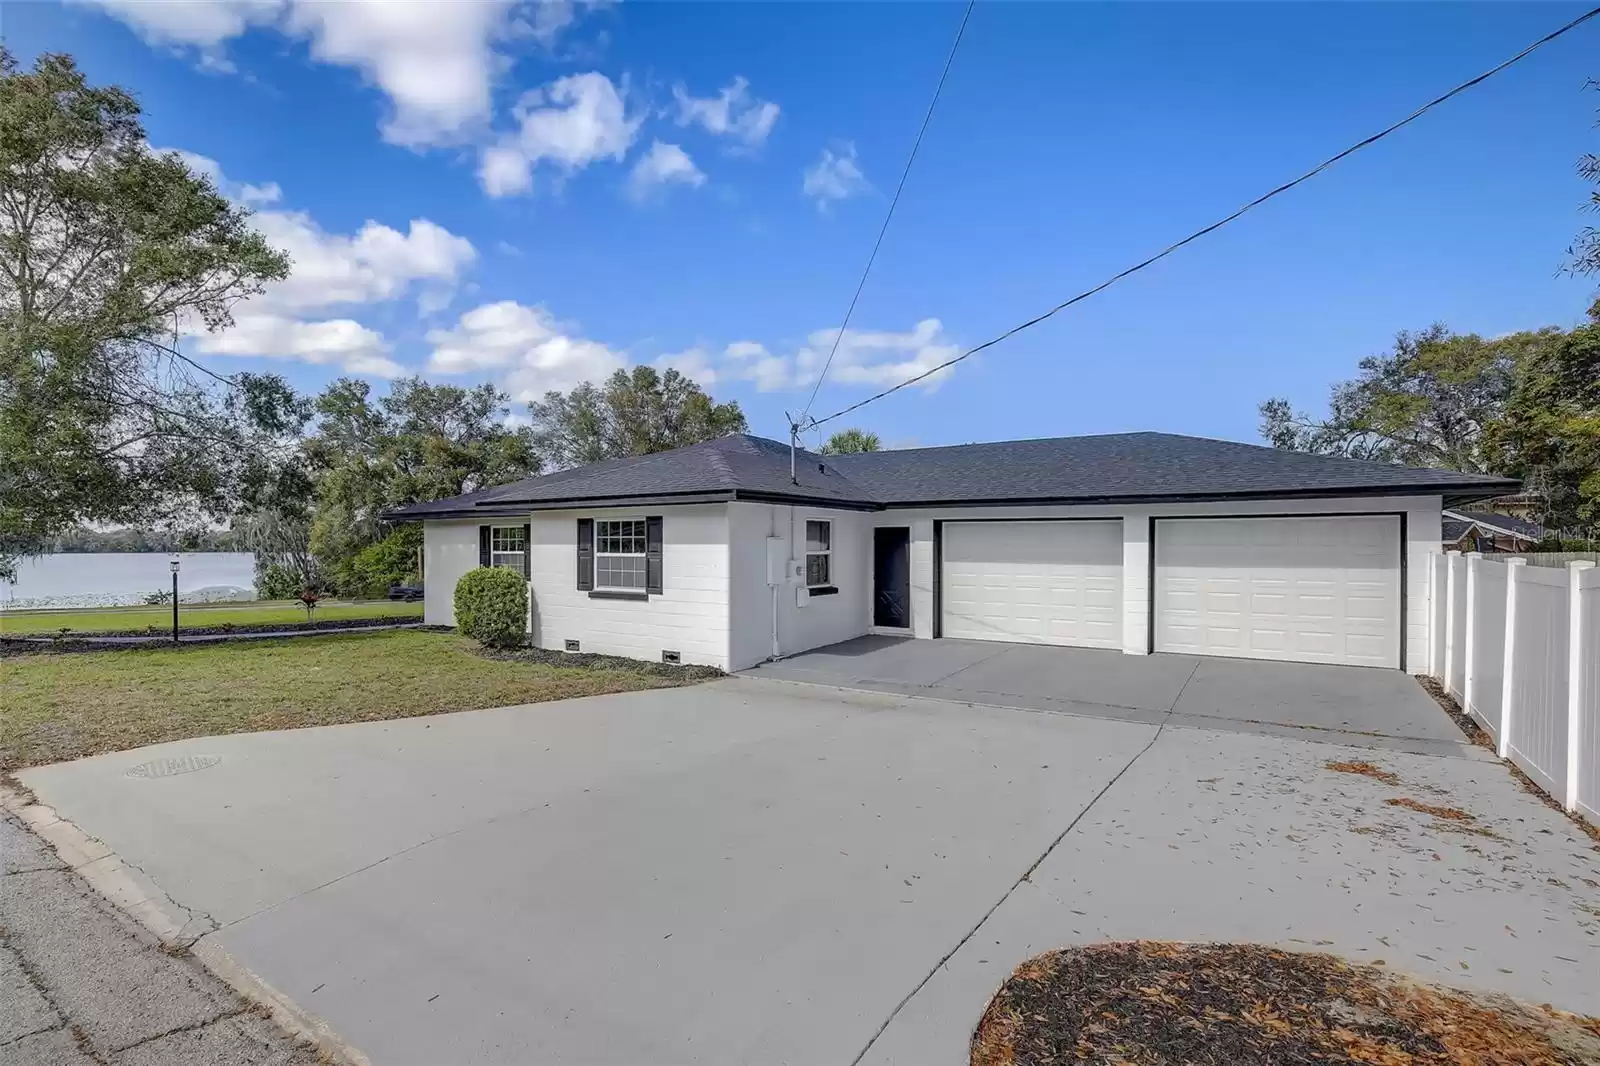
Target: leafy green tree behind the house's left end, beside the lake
418, 443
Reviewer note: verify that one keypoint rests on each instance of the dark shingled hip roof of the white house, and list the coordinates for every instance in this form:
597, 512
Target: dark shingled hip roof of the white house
1113, 468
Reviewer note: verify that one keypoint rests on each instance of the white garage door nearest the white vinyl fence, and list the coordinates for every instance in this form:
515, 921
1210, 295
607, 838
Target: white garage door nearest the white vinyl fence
1305, 590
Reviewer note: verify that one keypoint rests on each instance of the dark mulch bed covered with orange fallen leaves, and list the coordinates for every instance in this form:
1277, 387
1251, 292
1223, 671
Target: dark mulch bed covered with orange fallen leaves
1164, 1004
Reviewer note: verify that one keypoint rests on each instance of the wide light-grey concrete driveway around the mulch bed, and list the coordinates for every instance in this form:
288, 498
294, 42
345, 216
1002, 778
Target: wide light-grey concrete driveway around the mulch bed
769, 873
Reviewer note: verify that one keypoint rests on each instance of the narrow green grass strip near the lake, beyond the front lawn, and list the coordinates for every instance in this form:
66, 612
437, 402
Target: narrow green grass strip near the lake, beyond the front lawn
140, 619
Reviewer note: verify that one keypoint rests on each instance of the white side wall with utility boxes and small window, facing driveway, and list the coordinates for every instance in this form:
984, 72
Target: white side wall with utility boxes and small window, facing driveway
823, 619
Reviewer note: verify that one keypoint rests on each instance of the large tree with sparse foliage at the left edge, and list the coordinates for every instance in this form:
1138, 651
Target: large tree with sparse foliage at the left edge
108, 252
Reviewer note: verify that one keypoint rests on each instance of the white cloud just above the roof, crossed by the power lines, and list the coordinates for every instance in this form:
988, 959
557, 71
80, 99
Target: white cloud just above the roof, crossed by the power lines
863, 358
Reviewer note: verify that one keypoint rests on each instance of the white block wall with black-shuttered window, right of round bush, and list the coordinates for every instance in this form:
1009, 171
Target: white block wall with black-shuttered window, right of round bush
689, 617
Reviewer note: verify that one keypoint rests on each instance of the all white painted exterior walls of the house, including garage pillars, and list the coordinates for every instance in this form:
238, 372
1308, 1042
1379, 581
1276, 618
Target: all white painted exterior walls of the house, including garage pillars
718, 607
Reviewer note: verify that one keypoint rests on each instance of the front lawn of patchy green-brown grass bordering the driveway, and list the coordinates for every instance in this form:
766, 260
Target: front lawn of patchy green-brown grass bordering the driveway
70, 705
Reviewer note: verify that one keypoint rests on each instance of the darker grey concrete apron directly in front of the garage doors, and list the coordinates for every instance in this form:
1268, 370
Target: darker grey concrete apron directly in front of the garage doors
1193, 691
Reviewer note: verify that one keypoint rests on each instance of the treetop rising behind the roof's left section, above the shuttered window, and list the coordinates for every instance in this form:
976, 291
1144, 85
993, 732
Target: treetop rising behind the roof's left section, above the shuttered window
636, 412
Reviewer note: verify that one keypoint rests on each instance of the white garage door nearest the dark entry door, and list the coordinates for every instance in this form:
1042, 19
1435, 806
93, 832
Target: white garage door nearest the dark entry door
1034, 582
